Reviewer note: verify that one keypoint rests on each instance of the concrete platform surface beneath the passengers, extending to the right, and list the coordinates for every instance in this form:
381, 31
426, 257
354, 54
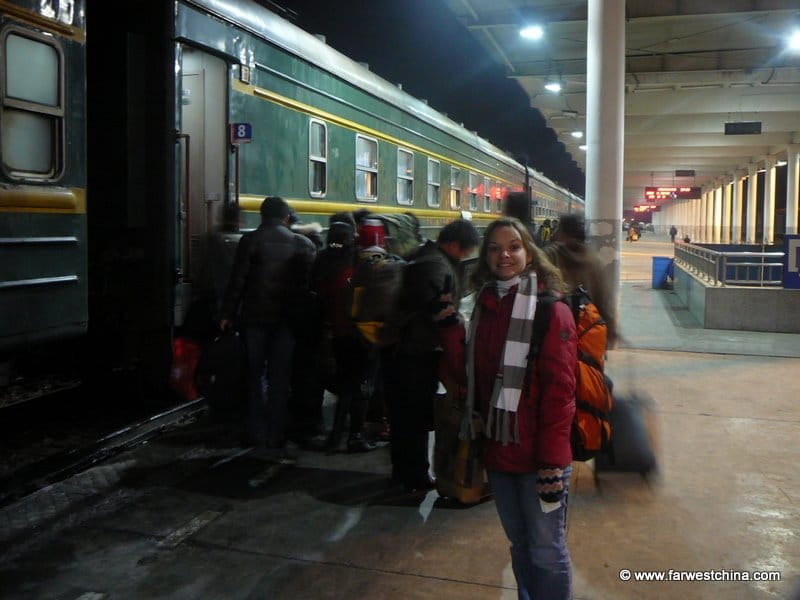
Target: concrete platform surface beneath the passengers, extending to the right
190, 516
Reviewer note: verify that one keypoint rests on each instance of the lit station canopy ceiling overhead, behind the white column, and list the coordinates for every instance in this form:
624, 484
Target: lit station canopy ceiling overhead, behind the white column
710, 87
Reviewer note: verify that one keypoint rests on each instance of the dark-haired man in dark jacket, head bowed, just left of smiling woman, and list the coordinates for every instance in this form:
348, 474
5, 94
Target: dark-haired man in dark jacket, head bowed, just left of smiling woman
410, 358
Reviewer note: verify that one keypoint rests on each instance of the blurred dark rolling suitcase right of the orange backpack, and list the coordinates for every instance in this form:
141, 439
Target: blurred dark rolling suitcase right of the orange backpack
633, 437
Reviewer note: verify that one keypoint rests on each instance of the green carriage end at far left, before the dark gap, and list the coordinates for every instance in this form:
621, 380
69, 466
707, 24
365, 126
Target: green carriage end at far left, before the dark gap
43, 217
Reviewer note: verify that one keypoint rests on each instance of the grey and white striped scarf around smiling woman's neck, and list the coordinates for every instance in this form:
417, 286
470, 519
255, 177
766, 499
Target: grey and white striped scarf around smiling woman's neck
513, 362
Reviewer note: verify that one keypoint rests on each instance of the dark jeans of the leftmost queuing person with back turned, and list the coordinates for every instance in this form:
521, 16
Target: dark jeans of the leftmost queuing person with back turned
269, 370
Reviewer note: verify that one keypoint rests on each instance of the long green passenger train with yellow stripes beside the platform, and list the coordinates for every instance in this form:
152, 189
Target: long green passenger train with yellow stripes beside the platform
129, 126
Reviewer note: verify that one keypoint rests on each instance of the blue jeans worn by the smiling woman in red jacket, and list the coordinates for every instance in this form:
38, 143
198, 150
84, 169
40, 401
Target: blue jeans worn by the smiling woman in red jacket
539, 553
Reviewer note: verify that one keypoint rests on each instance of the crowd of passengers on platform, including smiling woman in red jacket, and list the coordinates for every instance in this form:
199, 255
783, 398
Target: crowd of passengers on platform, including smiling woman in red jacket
289, 296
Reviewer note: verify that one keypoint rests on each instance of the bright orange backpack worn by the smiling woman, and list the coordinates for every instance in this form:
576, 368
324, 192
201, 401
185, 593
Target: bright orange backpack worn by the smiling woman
591, 428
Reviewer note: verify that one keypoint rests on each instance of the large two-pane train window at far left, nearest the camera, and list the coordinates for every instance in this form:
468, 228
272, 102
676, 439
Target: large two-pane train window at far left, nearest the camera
32, 107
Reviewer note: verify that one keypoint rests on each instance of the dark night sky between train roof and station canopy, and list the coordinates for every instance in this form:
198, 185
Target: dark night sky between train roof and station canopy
421, 45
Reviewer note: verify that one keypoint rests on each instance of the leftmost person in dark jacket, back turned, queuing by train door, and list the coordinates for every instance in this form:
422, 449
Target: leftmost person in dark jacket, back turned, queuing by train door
270, 279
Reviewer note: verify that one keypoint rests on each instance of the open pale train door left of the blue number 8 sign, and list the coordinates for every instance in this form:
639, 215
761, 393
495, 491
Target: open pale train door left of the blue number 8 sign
202, 103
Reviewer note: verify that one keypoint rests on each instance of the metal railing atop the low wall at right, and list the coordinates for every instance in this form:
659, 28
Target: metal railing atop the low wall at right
761, 269
